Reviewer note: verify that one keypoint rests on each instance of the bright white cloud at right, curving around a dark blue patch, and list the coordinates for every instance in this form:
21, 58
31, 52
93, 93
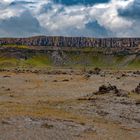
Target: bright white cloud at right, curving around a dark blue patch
107, 15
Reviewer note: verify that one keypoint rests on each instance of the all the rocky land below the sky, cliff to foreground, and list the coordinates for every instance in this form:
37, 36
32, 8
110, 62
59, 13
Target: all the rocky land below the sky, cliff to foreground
64, 88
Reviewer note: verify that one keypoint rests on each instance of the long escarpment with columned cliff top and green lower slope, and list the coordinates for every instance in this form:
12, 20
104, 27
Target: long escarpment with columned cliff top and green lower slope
71, 51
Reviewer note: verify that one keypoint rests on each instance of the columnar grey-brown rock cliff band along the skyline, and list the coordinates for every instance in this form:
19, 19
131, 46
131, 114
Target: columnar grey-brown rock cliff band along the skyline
73, 42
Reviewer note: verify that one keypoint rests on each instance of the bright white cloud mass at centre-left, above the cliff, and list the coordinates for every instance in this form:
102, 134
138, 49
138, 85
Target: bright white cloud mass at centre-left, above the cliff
60, 17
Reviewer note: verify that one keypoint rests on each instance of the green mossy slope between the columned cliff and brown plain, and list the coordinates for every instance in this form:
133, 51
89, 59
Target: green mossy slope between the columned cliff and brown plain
63, 58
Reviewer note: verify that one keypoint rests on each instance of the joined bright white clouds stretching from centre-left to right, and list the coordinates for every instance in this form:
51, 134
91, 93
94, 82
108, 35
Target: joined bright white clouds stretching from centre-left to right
78, 16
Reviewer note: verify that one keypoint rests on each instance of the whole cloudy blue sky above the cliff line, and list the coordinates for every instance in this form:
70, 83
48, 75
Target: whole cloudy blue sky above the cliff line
89, 18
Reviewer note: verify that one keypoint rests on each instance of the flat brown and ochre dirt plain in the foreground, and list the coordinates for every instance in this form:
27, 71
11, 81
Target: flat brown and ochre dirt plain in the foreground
66, 105
